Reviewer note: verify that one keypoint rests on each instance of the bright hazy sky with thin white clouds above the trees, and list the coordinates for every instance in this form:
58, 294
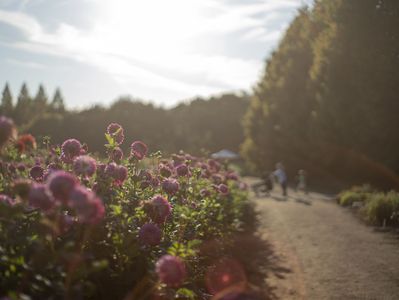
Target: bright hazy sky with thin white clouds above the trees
163, 51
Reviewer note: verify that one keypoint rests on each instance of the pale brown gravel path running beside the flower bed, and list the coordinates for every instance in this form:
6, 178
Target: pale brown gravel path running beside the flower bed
326, 251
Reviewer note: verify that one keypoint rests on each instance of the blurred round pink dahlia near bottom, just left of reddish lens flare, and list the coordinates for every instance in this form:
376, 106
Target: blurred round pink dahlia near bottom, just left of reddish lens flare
171, 270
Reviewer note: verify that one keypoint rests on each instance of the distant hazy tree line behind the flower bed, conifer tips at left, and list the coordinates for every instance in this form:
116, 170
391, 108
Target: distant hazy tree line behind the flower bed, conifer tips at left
198, 126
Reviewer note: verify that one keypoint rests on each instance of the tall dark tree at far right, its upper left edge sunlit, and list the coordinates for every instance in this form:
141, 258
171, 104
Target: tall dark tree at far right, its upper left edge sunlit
355, 76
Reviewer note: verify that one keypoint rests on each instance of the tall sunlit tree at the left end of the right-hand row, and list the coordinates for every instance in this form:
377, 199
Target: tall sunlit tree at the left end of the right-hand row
277, 121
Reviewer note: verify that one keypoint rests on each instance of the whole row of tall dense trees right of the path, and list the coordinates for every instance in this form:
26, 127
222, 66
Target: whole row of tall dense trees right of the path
328, 100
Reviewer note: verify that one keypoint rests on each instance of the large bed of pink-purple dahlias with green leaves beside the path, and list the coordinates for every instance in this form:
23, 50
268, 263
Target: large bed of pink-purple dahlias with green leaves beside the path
74, 226
